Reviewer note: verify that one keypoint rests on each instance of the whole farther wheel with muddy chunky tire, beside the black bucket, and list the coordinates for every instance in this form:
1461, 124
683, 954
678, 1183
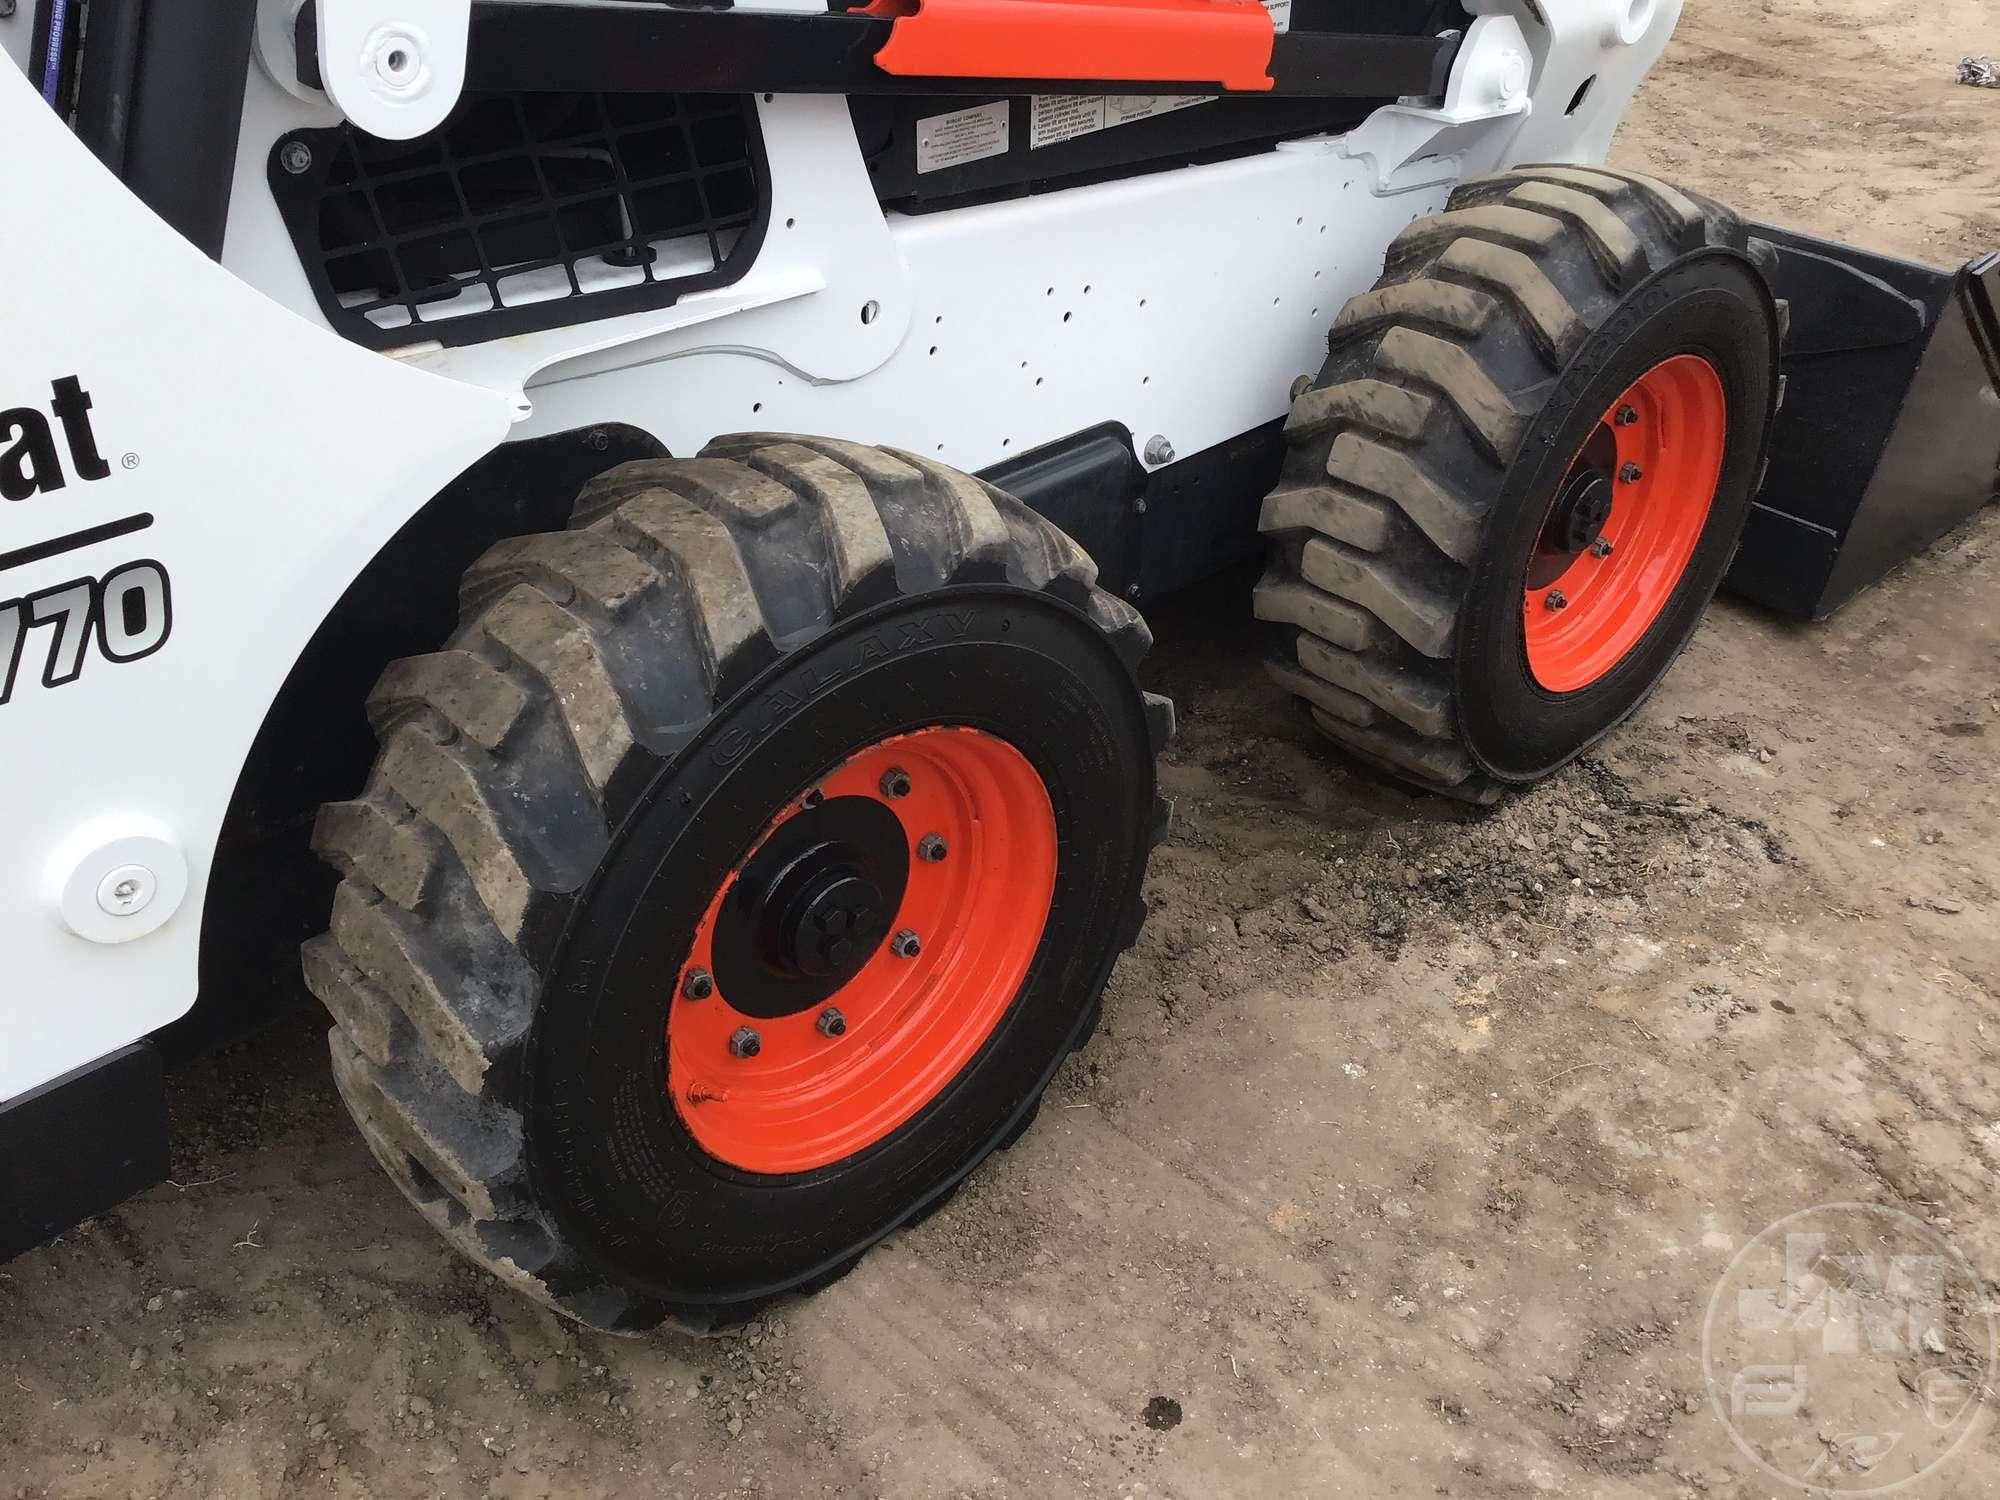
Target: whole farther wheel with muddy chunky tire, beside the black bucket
1425, 465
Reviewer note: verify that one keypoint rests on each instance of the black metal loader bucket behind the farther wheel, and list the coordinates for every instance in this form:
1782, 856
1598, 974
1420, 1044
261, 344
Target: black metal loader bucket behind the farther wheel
1891, 429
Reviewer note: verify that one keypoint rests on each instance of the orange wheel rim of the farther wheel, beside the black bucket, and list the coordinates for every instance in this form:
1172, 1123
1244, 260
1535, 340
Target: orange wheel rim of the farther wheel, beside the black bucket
1619, 537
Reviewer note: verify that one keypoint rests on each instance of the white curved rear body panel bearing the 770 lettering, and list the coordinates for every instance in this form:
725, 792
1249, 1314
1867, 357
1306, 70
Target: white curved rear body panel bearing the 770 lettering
275, 461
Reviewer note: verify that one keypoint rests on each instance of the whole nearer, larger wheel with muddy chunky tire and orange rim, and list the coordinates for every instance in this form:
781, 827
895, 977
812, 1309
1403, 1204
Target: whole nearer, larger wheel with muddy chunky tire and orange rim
629, 711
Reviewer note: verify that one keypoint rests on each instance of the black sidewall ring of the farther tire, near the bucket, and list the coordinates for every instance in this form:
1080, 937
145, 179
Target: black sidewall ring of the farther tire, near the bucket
1713, 305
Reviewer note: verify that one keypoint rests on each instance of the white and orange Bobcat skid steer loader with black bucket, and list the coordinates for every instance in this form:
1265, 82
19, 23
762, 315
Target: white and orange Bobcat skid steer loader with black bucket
617, 529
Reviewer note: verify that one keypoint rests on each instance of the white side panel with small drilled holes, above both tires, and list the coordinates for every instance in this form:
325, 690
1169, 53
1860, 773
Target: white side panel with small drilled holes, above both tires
869, 325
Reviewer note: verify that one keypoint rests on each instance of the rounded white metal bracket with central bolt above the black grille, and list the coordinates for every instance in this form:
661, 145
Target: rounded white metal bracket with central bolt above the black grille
395, 67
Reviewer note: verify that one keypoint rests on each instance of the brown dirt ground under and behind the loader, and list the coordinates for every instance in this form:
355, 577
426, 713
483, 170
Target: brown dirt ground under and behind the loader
1413, 1145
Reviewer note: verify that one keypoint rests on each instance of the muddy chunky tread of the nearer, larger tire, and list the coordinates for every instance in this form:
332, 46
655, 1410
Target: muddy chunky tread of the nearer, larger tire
511, 755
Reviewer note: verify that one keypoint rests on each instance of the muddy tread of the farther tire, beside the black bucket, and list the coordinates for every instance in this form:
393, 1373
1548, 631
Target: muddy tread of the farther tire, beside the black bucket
1395, 455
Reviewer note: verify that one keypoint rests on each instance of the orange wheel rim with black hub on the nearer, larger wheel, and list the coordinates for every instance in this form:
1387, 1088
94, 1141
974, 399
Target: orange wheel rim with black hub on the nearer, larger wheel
847, 1069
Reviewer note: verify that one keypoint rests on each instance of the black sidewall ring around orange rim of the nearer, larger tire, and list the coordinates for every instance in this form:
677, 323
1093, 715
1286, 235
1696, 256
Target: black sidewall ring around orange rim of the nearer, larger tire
609, 1155
